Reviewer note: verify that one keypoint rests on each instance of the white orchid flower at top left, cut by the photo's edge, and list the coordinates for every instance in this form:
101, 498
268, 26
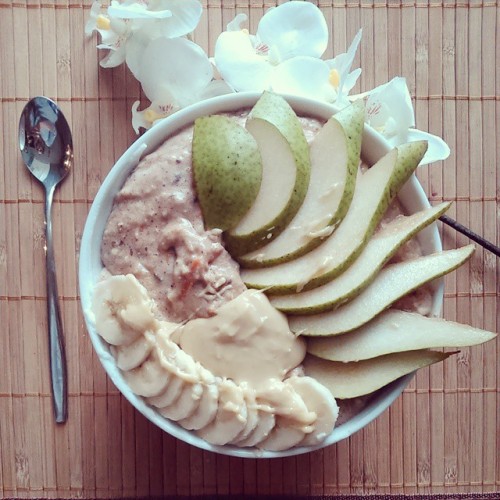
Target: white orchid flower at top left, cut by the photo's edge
127, 27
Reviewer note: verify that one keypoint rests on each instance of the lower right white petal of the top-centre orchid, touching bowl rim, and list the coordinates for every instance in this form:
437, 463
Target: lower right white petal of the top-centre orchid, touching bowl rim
305, 77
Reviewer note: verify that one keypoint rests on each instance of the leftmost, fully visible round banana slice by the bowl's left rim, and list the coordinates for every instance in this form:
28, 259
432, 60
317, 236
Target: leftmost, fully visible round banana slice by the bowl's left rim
122, 309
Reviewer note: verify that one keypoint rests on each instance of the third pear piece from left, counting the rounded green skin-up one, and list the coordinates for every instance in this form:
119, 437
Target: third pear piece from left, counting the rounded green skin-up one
335, 155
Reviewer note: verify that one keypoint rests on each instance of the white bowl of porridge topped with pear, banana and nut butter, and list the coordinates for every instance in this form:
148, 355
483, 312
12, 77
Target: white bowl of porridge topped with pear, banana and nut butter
238, 244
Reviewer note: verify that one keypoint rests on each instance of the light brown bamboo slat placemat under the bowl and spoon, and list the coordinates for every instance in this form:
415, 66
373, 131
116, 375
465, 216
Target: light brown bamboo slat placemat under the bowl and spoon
441, 437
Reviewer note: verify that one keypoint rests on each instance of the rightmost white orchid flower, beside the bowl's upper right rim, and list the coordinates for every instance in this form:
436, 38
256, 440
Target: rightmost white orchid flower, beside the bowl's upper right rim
390, 111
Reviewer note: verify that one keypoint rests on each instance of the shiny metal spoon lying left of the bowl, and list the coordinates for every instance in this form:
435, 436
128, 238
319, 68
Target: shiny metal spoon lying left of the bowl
47, 150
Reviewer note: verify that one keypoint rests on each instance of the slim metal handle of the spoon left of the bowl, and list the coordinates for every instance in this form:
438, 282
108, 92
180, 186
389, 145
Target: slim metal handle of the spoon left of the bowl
56, 345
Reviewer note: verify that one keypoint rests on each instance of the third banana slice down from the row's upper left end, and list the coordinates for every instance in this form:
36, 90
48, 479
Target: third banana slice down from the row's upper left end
149, 379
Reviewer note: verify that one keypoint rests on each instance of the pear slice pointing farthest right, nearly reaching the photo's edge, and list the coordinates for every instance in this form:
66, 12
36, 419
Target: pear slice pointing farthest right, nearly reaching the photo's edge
396, 331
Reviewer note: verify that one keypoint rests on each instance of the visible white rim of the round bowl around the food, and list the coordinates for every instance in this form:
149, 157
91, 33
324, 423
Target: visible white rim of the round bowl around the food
374, 146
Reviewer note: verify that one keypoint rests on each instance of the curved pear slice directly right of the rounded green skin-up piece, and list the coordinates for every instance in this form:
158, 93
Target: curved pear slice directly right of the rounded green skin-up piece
285, 174
